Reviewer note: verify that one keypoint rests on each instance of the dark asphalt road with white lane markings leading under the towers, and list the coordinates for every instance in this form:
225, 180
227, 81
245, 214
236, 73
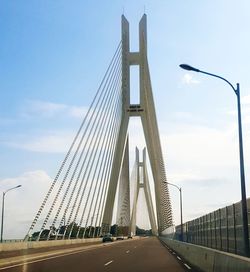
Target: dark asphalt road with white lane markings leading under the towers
141, 255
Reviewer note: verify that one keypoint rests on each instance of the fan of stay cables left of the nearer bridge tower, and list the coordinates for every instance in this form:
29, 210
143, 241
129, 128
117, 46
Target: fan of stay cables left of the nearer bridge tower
74, 204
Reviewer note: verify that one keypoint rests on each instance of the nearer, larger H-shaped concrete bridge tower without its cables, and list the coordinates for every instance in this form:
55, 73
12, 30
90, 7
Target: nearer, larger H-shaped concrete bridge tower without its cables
146, 111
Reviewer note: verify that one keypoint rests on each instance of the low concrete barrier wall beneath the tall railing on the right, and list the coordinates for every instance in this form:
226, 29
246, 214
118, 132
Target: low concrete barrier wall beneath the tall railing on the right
209, 260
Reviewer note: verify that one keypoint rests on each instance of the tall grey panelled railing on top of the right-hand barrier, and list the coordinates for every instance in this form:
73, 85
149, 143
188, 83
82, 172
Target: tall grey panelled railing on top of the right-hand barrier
220, 229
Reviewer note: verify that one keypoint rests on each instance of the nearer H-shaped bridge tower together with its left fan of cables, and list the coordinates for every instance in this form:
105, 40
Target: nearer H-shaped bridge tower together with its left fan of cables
84, 188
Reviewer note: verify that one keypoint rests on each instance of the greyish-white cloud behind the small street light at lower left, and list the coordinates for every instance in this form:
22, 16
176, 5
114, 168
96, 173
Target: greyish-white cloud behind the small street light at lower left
22, 203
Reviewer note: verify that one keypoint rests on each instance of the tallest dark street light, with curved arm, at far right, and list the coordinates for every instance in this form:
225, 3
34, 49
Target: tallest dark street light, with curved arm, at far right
242, 172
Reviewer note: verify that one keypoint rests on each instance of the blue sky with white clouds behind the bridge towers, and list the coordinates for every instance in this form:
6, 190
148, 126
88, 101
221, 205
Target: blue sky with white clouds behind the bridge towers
53, 55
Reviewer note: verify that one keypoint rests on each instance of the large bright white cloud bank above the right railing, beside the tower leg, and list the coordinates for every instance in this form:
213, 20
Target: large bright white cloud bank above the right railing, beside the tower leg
204, 161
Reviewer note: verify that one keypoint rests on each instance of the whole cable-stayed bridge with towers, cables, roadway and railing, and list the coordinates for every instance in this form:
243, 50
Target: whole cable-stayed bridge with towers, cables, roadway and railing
80, 203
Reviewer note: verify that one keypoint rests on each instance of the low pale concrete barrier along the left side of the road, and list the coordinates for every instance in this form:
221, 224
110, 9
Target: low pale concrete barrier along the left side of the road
42, 244
